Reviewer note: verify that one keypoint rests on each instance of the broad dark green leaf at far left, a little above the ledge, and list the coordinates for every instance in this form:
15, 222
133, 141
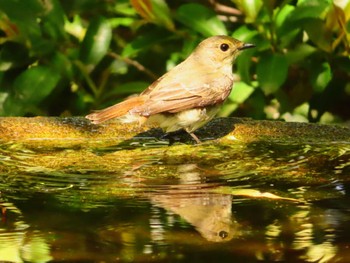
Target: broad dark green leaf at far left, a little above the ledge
35, 84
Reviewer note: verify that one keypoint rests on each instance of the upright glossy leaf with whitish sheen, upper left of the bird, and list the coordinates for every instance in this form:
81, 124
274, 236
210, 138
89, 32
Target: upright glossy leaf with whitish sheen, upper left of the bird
96, 42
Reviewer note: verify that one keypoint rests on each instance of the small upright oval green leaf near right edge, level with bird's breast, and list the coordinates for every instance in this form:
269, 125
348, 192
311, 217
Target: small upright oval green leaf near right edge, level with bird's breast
321, 75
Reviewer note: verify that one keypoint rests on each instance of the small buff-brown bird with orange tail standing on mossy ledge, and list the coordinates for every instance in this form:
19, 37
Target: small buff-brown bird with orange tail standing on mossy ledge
189, 95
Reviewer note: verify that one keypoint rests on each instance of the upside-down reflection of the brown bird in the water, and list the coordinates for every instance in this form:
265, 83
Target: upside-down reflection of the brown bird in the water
210, 213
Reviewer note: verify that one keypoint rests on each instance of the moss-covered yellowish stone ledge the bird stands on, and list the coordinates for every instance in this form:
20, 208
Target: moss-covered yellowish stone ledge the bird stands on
78, 131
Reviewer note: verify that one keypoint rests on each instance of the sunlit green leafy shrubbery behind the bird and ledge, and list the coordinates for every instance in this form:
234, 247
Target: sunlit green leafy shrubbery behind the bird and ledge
69, 56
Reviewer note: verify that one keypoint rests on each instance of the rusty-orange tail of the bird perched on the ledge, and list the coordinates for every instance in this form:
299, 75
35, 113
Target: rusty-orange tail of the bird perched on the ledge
115, 111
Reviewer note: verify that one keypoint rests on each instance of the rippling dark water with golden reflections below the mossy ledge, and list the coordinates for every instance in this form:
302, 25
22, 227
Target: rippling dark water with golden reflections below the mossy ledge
151, 202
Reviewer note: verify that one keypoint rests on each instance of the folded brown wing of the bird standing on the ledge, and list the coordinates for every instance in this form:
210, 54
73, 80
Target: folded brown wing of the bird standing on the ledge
176, 96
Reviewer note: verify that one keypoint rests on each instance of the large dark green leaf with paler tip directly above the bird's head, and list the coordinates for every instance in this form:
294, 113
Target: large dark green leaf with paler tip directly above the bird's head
200, 19
